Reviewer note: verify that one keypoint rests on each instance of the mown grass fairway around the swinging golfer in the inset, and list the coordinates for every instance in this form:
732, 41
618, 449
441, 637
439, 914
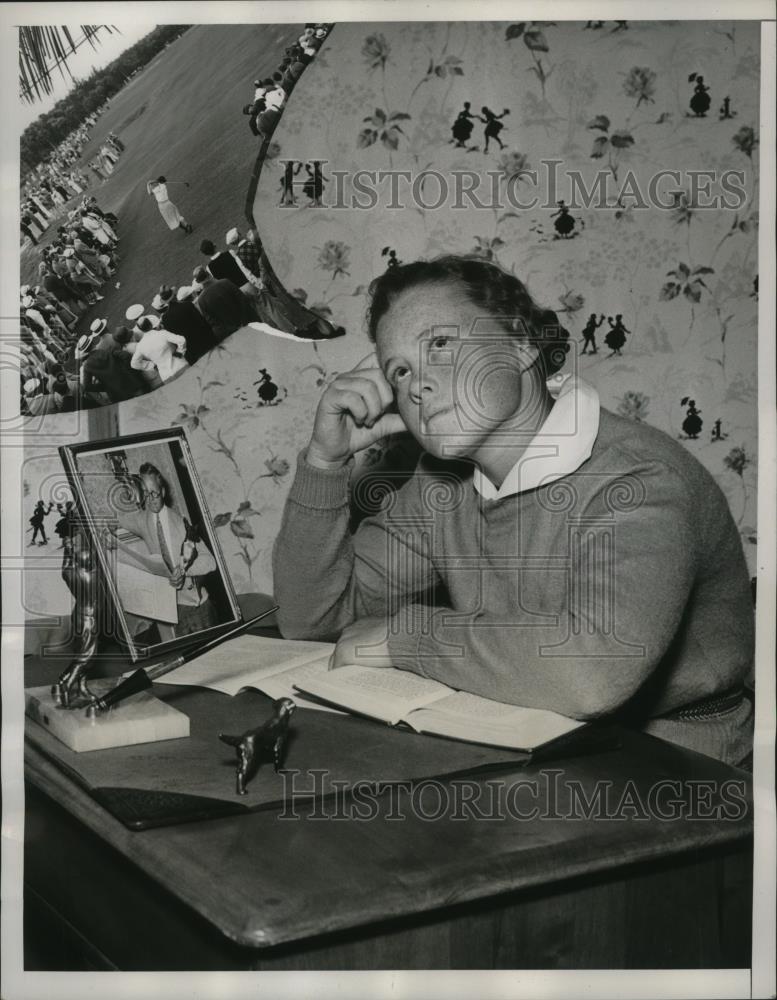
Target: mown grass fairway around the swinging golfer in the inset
180, 116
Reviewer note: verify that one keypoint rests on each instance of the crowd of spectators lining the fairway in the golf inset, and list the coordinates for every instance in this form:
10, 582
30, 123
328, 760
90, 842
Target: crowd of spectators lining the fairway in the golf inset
154, 342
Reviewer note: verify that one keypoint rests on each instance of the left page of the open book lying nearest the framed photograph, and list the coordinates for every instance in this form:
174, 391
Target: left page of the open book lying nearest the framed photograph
247, 661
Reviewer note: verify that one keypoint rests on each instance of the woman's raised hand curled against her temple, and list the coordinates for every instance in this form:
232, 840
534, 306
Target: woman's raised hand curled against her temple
353, 413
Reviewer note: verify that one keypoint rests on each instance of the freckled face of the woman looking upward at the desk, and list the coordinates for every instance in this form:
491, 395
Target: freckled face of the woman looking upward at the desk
456, 374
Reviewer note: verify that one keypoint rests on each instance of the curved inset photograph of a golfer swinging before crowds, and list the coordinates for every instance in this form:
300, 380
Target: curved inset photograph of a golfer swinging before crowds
140, 251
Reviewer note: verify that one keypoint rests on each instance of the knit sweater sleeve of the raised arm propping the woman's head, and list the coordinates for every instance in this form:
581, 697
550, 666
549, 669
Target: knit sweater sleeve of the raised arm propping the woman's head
325, 577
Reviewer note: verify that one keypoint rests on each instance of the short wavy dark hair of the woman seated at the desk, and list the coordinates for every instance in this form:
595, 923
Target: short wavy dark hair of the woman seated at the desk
500, 295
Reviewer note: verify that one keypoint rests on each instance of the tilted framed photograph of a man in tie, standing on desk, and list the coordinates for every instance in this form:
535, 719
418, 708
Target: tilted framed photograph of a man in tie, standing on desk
141, 502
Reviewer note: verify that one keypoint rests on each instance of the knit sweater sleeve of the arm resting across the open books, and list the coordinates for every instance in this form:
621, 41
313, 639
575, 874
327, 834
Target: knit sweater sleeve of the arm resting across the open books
627, 591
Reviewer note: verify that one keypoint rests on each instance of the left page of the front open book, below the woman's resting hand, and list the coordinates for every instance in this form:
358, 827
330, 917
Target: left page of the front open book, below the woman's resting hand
381, 692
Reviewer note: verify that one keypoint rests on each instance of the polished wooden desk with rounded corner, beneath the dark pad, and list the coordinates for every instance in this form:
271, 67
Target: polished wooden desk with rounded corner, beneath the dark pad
260, 892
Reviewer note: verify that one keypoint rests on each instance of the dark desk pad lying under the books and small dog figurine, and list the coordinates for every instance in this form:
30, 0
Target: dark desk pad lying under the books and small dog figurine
176, 781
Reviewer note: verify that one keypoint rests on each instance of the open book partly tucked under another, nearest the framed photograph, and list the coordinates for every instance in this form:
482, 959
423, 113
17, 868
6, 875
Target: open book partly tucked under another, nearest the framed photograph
272, 666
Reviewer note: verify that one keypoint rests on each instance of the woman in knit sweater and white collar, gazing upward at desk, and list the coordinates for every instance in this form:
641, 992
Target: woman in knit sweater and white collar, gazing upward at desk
544, 553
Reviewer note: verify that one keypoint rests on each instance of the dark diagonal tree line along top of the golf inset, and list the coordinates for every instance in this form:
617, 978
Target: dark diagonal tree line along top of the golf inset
40, 138
